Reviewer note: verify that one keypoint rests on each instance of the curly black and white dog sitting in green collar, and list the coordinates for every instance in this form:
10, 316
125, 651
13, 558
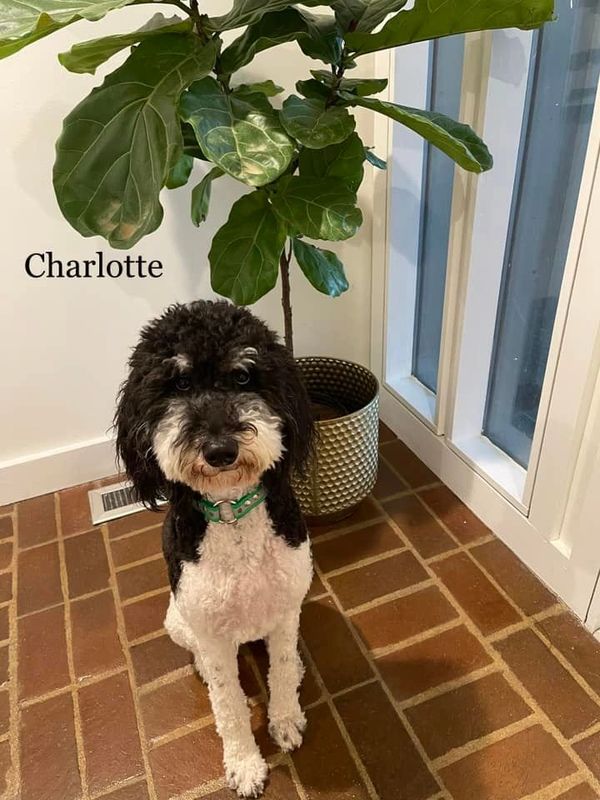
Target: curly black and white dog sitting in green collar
214, 418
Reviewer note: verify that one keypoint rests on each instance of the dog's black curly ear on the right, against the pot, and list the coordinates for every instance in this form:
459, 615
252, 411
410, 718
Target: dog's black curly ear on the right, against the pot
289, 399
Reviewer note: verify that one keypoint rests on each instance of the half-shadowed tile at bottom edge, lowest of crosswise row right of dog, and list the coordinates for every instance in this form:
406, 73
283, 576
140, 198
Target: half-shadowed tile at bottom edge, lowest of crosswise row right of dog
508, 769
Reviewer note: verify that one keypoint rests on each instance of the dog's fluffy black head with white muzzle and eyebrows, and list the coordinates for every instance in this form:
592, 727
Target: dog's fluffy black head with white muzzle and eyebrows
212, 401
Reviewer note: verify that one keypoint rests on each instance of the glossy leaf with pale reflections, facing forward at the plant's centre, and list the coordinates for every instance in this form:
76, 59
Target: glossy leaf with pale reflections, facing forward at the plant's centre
242, 135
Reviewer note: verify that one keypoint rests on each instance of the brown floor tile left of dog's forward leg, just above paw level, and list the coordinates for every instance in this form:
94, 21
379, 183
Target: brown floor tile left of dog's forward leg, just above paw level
174, 704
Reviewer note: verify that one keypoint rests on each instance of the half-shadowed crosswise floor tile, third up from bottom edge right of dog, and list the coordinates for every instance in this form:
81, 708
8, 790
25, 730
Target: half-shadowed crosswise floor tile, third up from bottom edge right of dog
432, 662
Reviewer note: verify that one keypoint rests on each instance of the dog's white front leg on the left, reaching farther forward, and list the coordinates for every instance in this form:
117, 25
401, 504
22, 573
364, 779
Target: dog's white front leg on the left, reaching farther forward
245, 768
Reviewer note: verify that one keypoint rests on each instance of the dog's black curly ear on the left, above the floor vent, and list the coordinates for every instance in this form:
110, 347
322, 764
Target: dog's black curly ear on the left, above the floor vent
134, 445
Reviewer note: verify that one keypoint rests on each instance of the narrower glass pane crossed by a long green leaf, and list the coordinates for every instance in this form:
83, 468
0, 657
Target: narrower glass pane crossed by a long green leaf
445, 77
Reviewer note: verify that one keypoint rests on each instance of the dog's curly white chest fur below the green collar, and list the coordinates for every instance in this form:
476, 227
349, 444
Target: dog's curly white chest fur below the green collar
246, 579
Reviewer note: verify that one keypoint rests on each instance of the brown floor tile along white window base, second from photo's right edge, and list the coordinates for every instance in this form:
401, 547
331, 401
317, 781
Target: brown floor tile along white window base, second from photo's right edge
524, 588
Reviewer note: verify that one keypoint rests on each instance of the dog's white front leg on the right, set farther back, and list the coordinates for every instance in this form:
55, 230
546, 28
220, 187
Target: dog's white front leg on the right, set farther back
286, 719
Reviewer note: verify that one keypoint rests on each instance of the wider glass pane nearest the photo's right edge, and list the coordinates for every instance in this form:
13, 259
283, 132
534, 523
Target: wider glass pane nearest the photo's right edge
558, 115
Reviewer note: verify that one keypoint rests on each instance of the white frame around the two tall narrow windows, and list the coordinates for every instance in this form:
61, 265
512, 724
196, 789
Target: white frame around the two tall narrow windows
549, 527
